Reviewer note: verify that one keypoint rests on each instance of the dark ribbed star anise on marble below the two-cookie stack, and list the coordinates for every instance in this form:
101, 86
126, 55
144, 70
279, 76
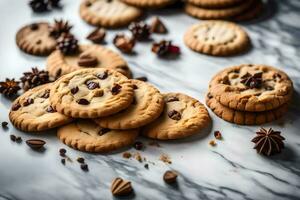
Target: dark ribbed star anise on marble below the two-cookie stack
268, 142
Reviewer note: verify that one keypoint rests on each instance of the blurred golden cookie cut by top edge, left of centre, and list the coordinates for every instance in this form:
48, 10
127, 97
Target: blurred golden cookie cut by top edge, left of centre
112, 13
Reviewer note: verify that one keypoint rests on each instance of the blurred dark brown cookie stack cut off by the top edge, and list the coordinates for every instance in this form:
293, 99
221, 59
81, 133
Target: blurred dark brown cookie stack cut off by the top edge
238, 10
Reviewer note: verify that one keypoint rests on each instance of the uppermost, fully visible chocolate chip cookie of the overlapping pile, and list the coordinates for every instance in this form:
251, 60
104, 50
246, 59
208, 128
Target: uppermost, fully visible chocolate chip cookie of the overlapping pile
91, 93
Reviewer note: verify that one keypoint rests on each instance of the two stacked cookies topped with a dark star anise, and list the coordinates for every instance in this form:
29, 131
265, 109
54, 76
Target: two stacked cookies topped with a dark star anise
250, 94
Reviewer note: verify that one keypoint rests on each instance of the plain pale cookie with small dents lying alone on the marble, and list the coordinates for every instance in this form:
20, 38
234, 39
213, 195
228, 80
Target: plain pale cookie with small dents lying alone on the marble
217, 38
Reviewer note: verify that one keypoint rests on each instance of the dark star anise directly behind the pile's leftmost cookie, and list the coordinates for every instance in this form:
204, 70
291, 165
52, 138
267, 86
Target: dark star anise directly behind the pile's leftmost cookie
34, 78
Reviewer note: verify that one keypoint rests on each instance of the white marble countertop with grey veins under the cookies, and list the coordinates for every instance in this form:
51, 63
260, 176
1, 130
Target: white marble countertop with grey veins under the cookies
231, 170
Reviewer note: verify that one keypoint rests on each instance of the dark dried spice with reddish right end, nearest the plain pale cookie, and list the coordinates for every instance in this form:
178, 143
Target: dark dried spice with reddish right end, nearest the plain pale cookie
165, 47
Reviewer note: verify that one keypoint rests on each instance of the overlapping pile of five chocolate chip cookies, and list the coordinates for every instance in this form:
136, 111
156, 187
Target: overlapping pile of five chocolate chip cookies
101, 110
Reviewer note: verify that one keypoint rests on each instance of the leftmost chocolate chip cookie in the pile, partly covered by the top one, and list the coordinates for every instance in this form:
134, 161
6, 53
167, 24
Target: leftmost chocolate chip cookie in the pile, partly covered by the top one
32, 111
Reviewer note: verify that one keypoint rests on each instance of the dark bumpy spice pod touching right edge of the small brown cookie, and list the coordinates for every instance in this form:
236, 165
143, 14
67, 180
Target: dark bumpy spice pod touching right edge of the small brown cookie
67, 44
